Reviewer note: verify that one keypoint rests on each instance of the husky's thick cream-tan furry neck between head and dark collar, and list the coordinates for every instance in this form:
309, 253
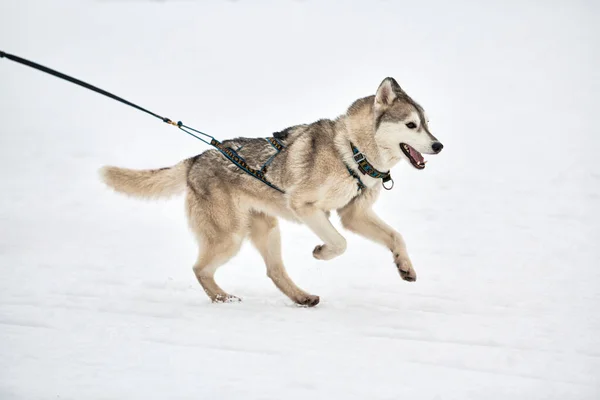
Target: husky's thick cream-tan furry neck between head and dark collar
358, 126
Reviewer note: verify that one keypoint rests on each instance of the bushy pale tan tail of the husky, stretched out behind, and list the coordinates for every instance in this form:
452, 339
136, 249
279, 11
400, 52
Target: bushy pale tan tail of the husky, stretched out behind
148, 183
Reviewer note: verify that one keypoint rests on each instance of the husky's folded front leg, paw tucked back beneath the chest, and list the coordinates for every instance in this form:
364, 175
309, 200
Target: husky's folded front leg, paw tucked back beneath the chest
318, 221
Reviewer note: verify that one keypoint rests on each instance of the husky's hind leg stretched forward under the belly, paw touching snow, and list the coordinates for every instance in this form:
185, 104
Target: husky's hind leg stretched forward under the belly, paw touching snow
264, 233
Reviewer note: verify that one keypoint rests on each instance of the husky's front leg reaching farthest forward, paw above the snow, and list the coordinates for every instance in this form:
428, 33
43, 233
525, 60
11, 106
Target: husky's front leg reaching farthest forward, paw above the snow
366, 223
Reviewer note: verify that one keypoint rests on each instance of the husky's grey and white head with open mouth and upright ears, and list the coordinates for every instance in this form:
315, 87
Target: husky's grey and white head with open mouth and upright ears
401, 128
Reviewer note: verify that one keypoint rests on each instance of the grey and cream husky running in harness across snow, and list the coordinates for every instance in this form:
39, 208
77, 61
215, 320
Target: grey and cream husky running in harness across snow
318, 169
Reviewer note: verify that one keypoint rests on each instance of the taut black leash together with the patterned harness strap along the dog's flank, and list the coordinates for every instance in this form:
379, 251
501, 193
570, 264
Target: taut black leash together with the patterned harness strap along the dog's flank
229, 153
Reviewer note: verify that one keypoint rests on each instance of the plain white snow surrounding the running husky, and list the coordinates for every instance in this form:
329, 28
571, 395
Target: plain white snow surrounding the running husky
97, 296
